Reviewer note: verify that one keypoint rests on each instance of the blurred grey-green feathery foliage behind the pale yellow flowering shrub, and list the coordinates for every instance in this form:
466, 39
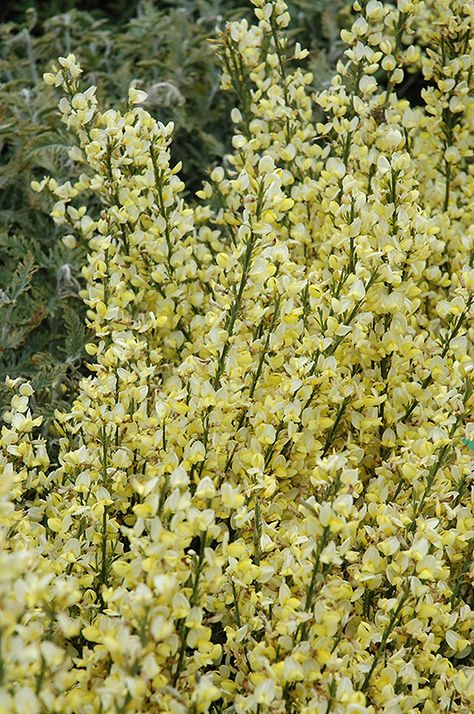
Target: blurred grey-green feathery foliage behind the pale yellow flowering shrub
164, 46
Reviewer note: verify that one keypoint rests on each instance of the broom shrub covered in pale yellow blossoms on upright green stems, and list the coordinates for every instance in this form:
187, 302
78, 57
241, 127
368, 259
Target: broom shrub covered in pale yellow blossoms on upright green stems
261, 499
